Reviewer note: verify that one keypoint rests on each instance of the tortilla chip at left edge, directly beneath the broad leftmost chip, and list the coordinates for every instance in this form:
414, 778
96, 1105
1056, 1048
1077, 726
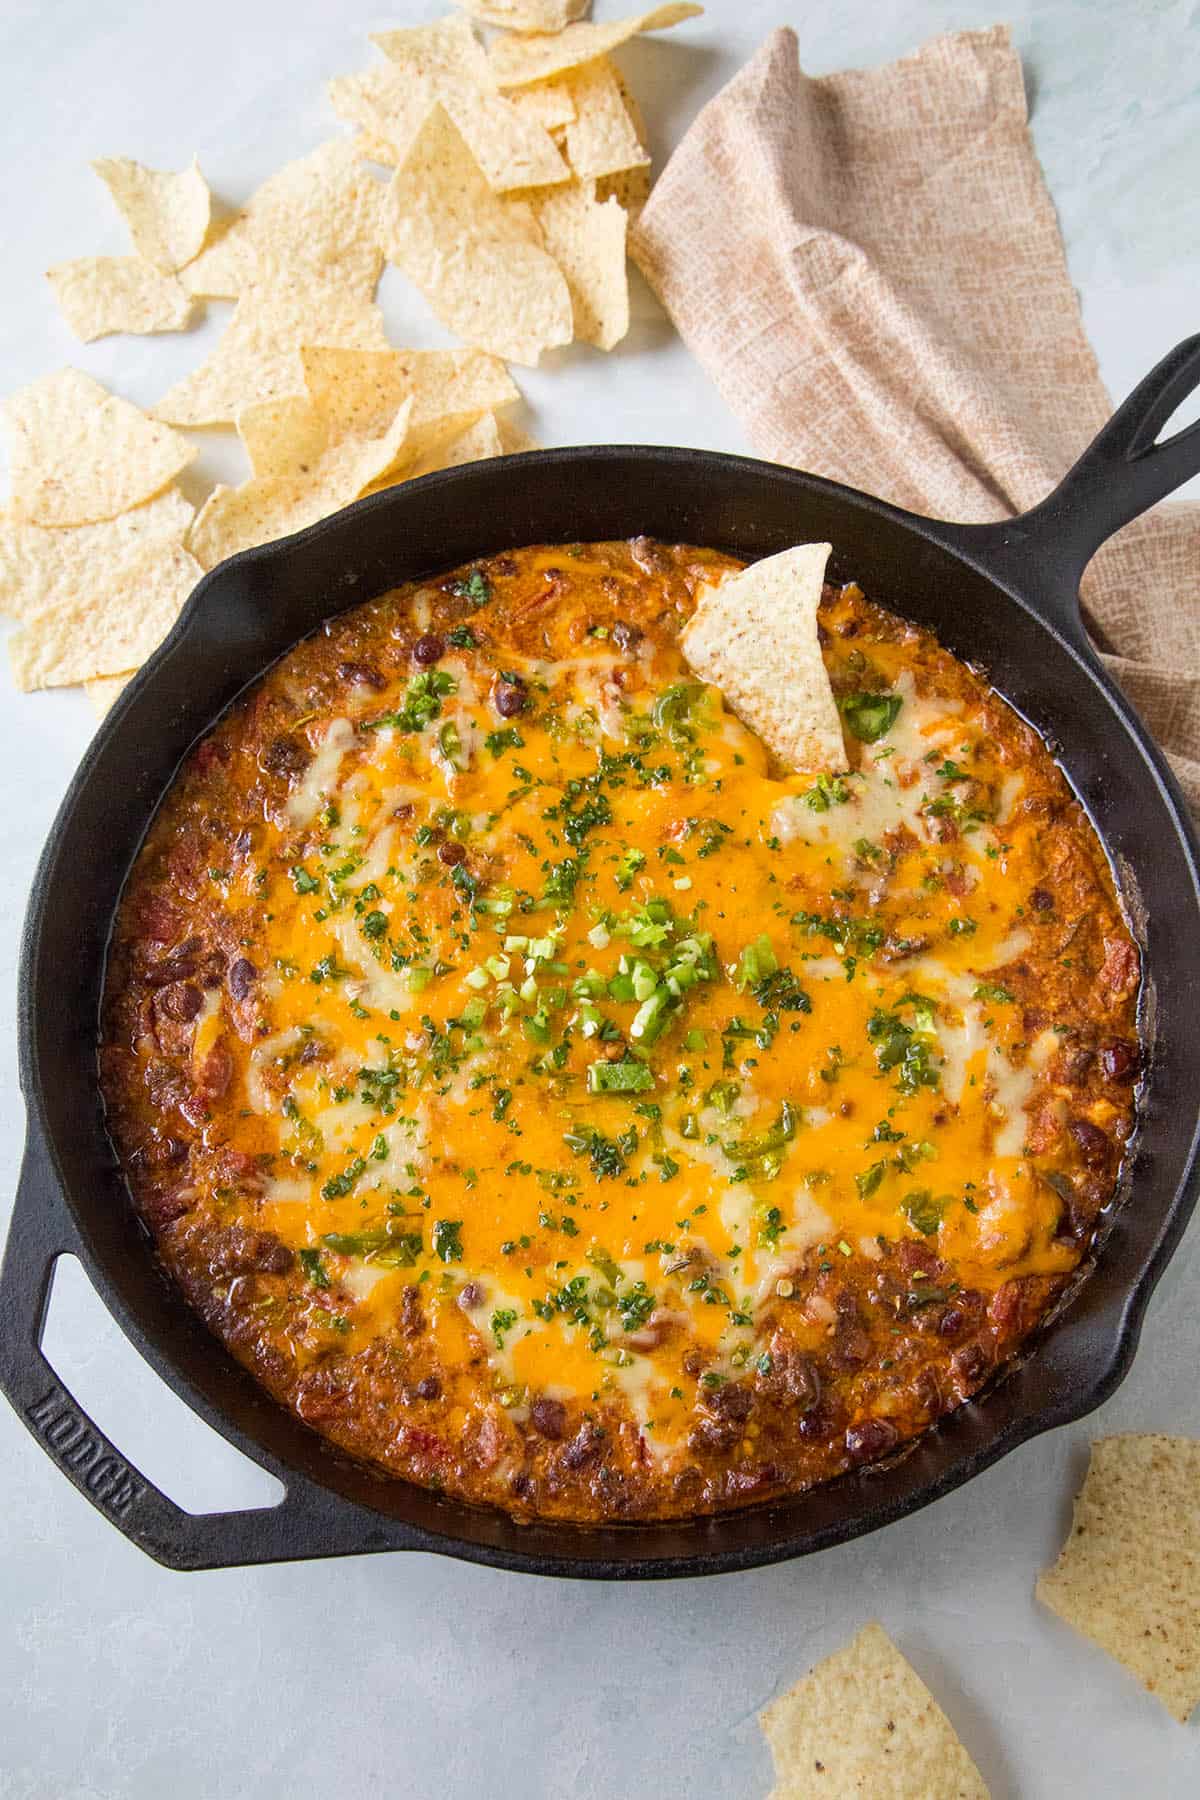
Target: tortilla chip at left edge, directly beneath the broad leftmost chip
42, 568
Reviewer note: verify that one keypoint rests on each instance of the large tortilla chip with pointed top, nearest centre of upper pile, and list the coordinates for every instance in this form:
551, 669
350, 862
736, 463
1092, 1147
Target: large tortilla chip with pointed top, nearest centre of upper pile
476, 256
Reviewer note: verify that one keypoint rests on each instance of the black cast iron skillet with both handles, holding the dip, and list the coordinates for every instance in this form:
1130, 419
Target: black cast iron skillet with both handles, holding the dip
1005, 597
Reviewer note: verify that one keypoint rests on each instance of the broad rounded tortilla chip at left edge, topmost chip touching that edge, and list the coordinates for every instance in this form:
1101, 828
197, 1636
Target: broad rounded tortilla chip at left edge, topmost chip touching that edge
78, 453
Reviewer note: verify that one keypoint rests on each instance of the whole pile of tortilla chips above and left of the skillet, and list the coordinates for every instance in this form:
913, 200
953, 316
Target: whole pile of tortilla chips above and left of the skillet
514, 172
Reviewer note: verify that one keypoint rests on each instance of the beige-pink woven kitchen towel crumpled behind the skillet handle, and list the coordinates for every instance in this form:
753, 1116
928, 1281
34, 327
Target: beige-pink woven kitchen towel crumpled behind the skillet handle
870, 269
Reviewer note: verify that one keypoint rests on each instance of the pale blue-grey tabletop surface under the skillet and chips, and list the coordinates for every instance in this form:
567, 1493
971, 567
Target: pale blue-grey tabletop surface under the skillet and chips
422, 1677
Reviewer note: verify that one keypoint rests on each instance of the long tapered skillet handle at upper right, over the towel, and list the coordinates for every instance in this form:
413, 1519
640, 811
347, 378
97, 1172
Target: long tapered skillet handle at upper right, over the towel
1041, 555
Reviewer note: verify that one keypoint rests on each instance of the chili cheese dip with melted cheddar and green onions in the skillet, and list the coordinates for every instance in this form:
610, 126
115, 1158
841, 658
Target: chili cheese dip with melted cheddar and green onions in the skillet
560, 1106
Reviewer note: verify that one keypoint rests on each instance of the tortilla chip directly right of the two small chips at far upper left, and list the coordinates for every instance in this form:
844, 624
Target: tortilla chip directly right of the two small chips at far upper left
318, 219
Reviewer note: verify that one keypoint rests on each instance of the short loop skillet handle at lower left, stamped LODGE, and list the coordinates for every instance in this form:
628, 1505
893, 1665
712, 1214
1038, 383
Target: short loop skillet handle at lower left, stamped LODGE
307, 1524
